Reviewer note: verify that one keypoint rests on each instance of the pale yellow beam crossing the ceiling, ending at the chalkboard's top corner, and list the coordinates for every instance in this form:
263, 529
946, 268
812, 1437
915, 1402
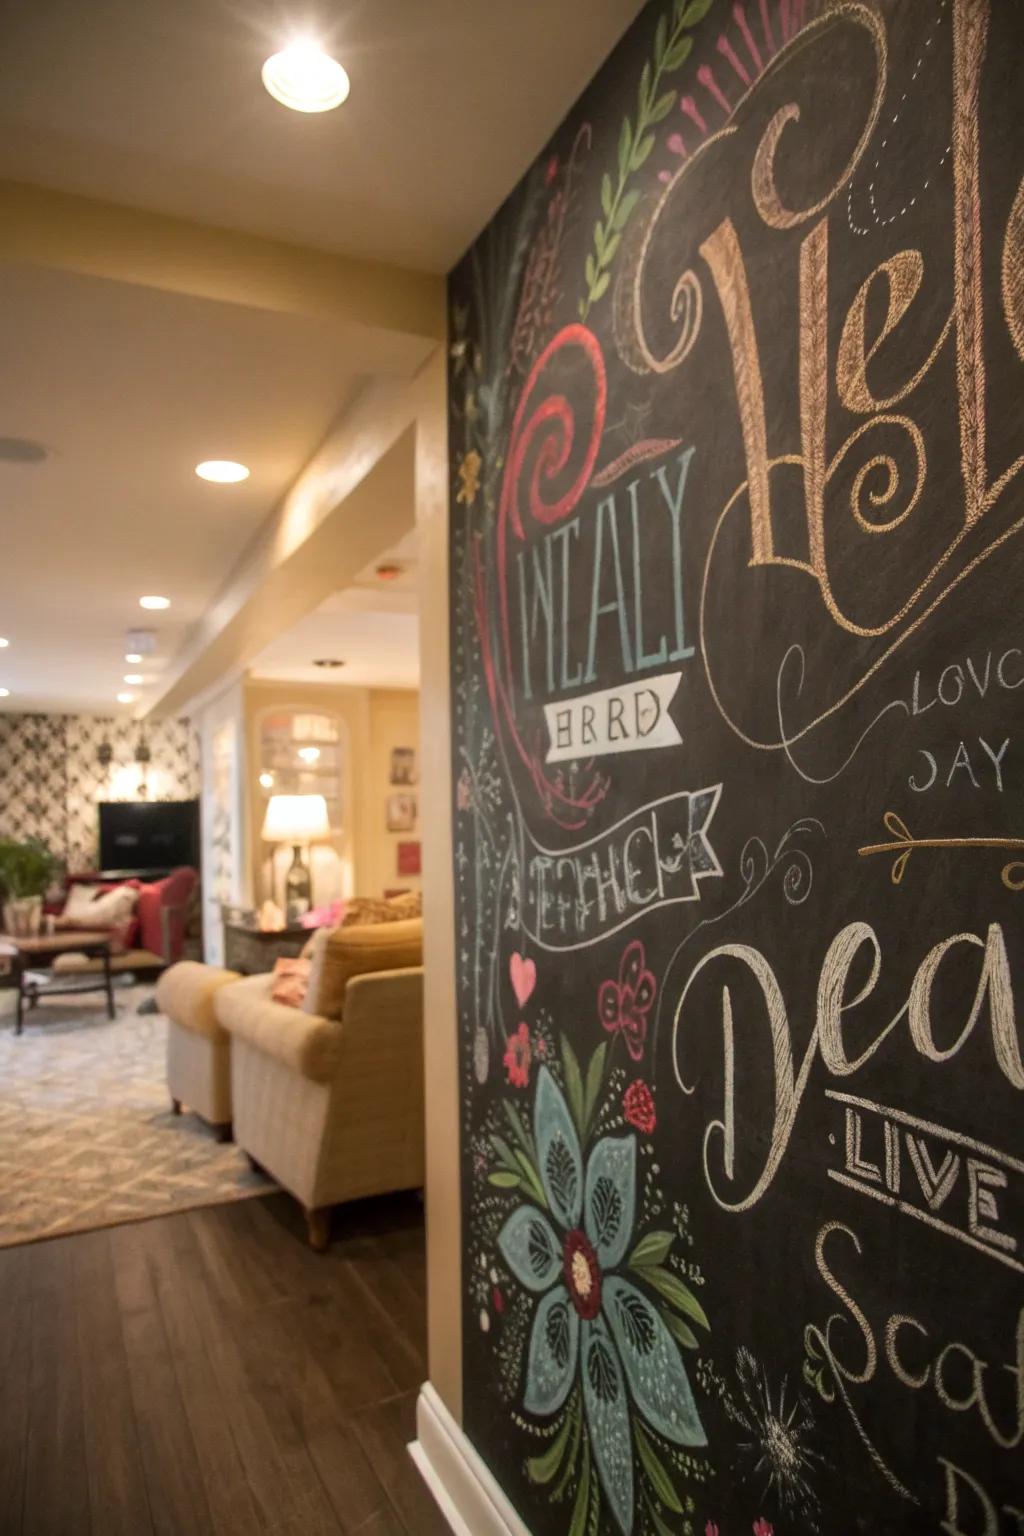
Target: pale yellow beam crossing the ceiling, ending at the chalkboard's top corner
127, 245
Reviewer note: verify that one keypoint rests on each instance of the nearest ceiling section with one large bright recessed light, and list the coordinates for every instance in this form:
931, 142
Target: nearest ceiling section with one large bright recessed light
159, 104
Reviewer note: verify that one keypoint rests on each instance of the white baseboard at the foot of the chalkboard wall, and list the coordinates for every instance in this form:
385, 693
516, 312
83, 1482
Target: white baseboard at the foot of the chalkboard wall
467, 1494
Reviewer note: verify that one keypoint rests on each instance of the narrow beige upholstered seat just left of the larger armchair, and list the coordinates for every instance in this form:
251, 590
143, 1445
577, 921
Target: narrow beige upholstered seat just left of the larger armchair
199, 1048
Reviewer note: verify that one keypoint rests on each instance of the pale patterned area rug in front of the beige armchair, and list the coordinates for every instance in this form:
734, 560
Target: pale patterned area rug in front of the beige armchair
87, 1133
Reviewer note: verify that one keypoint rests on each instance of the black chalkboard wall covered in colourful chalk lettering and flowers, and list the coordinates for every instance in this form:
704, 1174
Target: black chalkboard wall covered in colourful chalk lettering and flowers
738, 434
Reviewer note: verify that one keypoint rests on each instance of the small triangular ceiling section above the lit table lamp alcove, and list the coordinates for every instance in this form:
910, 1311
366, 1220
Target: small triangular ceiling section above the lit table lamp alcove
372, 627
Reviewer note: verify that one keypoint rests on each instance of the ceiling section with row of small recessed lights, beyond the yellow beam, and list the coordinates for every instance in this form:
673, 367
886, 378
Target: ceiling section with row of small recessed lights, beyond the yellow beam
128, 389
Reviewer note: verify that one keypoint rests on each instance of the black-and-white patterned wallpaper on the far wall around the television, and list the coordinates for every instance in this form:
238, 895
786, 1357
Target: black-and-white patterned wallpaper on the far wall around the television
51, 778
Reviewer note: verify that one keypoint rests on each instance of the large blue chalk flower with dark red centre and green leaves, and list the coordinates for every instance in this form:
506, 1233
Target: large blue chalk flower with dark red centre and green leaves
595, 1334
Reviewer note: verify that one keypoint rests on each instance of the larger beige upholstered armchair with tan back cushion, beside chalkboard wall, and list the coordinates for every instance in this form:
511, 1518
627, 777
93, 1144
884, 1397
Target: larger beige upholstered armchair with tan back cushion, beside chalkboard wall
329, 1099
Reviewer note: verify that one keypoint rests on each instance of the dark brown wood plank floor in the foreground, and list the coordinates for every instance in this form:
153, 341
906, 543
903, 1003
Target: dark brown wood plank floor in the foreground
206, 1372
